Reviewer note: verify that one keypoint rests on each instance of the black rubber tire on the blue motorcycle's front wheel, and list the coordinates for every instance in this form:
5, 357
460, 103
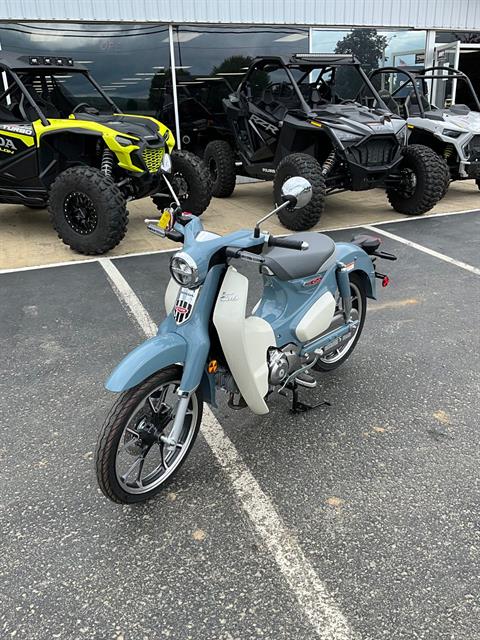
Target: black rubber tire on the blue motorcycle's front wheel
113, 437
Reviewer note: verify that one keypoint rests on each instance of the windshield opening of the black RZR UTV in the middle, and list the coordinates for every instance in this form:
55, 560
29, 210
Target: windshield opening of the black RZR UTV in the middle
337, 85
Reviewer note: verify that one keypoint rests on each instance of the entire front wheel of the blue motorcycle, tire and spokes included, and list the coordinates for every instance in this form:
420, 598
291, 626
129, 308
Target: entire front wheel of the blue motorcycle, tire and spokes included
134, 459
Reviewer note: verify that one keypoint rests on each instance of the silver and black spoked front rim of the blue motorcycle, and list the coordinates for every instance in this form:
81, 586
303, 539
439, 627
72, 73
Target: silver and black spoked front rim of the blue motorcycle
143, 461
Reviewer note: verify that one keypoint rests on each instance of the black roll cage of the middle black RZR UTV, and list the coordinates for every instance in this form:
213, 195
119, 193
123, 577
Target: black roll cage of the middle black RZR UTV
309, 62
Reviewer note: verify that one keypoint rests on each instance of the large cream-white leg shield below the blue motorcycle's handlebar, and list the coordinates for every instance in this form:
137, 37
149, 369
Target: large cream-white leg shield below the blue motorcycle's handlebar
244, 340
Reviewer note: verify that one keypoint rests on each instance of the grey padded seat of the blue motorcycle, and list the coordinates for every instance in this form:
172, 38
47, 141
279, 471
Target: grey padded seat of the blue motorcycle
289, 264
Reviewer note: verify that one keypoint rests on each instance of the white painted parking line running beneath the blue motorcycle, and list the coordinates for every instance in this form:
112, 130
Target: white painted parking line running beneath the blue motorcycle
317, 604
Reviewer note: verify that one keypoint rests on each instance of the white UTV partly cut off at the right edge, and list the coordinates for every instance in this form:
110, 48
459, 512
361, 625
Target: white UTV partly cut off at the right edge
429, 100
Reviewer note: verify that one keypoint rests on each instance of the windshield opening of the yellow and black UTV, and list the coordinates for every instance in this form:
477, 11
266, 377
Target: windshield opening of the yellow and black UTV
57, 94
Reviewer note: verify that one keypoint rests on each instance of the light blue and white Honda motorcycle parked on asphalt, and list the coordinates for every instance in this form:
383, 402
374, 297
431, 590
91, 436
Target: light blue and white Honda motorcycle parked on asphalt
310, 317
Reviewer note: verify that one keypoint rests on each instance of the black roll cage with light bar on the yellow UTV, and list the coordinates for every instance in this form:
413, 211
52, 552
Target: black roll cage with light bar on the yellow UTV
23, 62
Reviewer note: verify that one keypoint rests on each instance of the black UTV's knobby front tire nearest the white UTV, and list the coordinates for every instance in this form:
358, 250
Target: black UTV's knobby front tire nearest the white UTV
431, 176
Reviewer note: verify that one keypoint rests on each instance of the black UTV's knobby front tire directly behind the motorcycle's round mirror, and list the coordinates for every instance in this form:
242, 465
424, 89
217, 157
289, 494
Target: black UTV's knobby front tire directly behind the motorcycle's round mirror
300, 164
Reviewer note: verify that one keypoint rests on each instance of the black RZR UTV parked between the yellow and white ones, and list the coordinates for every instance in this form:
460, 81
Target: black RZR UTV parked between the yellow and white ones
319, 116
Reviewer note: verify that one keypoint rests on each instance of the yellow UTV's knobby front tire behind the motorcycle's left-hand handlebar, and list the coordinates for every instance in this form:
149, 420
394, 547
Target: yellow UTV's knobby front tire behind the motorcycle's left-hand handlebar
191, 182
